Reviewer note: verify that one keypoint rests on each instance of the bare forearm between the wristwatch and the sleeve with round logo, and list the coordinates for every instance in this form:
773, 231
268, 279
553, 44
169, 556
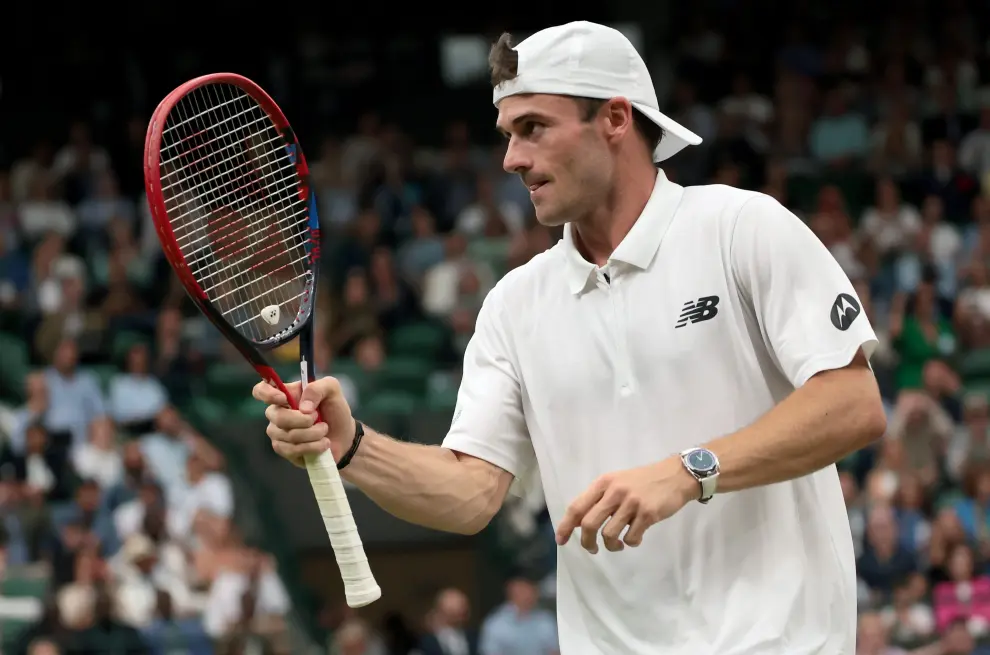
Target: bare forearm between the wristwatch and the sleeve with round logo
830, 417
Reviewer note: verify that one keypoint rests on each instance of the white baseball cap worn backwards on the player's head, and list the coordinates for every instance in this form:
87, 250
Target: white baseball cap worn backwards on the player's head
588, 60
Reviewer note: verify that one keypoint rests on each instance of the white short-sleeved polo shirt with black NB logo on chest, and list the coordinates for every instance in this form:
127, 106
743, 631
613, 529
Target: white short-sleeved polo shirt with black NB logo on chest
718, 304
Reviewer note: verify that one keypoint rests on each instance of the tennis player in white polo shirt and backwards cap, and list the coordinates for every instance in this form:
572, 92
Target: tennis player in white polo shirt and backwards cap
685, 367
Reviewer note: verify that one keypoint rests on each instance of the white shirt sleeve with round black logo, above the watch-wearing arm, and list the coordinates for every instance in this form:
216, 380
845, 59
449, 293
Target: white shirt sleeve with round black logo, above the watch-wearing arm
809, 313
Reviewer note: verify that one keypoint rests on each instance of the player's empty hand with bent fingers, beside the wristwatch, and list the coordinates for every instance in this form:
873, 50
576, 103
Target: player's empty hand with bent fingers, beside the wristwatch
635, 498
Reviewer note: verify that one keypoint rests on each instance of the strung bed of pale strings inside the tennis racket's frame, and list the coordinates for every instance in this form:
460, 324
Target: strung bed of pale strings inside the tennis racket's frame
235, 207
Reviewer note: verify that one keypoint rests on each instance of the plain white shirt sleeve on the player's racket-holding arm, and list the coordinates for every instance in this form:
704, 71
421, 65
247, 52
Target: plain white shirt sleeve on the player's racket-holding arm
488, 418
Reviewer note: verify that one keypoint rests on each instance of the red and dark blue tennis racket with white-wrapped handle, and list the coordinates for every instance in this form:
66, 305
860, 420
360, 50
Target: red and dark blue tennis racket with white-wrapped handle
229, 192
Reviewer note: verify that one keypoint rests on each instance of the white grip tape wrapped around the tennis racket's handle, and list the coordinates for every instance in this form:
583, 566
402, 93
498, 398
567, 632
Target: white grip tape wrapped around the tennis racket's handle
360, 587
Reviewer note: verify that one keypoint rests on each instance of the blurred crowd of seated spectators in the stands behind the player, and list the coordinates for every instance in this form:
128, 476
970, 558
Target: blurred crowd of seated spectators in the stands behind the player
877, 135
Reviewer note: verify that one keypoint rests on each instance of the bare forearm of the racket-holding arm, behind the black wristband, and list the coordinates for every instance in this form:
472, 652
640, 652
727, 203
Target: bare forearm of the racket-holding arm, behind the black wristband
425, 485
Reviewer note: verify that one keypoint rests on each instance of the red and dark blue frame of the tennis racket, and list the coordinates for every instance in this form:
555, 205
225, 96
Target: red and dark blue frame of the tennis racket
156, 202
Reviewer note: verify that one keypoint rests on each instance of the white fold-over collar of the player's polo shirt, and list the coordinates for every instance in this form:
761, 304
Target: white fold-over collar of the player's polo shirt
639, 246
